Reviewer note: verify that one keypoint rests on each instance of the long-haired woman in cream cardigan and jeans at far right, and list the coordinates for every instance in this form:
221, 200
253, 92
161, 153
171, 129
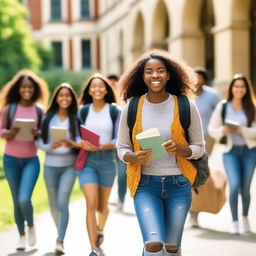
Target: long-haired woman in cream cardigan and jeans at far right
240, 146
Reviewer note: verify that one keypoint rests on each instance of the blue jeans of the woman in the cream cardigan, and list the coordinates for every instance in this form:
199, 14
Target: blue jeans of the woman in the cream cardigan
239, 164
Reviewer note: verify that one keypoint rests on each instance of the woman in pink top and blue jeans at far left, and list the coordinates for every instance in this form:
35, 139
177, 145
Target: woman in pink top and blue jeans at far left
20, 161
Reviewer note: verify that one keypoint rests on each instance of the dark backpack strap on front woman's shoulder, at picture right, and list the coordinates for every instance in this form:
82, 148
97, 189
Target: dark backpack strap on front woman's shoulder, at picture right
184, 114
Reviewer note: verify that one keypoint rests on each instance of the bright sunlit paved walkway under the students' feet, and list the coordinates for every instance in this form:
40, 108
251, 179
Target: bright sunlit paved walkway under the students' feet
123, 235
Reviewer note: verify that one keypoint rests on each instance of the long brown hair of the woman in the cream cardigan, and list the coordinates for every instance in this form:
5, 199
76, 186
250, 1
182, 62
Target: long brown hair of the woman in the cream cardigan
248, 100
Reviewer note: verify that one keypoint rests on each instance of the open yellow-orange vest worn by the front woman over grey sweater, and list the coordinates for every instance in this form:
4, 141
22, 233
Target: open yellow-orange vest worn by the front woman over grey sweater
178, 136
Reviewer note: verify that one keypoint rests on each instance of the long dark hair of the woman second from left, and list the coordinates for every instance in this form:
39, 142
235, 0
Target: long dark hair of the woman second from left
53, 109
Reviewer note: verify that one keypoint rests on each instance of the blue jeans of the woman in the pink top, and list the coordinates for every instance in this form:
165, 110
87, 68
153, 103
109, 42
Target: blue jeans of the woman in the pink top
22, 174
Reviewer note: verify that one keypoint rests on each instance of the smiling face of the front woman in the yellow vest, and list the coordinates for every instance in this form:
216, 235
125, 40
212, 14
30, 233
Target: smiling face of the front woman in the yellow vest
155, 76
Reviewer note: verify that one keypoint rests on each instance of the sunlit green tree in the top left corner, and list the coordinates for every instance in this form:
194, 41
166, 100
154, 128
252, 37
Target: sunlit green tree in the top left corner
17, 49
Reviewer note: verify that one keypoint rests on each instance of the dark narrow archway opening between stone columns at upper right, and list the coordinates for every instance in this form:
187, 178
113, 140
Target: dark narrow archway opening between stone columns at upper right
206, 24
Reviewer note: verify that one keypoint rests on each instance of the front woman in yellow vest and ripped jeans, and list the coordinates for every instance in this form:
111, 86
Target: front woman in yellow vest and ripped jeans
161, 187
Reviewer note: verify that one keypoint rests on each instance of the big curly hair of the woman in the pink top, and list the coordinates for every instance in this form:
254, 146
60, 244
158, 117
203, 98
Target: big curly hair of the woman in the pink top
10, 91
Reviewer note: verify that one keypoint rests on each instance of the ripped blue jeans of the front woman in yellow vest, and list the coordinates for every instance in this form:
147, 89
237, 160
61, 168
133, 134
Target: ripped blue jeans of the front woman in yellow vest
161, 205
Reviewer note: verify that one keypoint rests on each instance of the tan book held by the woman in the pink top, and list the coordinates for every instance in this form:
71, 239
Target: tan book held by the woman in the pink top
25, 126
